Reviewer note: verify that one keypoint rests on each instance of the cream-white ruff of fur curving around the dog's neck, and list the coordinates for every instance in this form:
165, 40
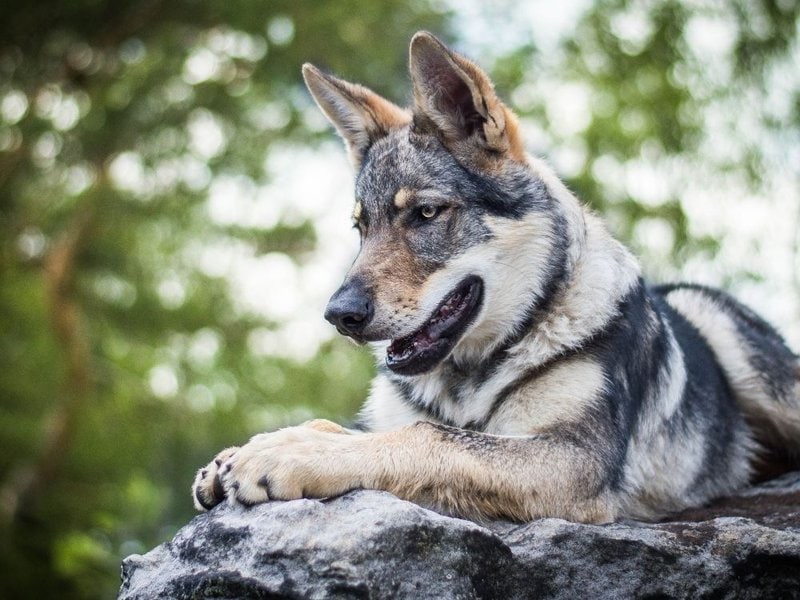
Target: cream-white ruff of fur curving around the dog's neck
599, 273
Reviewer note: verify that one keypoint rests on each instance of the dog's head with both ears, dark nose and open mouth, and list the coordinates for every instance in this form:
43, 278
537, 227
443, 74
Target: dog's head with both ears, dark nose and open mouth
458, 230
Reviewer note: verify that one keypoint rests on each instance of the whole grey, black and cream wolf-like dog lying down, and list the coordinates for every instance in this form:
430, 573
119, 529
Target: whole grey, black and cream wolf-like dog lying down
525, 369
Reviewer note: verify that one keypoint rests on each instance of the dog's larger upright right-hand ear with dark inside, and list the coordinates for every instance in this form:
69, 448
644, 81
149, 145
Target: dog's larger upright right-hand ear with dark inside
452, 94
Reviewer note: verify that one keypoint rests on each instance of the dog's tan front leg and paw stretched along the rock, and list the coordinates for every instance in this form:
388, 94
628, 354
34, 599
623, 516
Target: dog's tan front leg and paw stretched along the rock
461, 472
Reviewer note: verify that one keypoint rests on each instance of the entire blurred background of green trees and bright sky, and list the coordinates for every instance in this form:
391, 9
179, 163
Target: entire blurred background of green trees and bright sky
174, 213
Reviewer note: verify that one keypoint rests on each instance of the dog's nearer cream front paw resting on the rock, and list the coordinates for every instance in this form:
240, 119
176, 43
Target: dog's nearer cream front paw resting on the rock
296, 462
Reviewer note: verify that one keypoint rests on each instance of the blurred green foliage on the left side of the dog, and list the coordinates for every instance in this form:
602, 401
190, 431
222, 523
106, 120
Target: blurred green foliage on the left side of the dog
95, 465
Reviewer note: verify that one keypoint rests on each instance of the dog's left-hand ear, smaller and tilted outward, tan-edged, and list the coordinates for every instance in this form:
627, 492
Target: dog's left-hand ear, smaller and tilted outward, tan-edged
360, 115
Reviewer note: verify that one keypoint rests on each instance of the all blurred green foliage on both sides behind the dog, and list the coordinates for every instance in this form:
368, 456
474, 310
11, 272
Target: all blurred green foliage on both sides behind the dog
124, 366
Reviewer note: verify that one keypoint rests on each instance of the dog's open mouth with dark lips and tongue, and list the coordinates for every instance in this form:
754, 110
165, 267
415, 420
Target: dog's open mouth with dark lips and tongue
431, 343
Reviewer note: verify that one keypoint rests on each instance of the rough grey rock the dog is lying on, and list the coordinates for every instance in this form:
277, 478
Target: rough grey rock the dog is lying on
369, 544
